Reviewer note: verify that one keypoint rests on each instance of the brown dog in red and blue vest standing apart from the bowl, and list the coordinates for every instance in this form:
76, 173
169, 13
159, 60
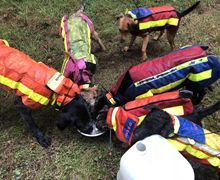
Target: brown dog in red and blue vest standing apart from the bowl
141, 22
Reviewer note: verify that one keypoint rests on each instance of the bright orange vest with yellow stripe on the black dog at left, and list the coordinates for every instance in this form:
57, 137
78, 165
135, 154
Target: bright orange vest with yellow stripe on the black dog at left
36, 83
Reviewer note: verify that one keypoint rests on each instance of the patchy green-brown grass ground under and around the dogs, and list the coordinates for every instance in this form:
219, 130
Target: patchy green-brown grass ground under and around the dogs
31, 26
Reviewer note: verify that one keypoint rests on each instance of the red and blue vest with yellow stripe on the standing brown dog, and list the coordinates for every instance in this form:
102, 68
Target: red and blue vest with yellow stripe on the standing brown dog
155, 18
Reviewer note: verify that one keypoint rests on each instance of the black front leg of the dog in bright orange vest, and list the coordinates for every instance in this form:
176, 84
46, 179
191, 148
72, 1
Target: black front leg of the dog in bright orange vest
26, 115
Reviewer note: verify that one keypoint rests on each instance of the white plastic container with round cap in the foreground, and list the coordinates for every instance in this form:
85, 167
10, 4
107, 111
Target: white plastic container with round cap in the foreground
154, 158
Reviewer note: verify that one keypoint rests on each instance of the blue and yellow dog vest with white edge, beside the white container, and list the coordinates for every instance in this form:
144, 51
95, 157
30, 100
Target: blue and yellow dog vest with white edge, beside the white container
196, 142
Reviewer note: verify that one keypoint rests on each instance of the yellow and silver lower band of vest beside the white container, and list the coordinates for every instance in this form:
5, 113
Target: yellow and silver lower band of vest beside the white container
183, 144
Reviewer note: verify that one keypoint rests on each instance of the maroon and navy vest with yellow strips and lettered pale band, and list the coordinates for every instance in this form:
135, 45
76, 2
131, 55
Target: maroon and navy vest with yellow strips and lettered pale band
190, 65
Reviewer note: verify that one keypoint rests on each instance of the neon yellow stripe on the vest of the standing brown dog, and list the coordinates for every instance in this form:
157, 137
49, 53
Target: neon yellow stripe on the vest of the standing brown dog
159, 23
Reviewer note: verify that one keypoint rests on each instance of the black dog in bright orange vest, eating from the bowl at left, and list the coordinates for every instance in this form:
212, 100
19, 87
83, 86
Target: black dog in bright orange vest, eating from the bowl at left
38, 85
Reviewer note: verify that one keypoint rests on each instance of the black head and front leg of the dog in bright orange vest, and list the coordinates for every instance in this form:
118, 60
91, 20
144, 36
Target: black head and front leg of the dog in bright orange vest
74, 113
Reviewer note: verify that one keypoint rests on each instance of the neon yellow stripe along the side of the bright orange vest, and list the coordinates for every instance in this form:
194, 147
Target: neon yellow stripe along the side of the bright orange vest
25, 90
